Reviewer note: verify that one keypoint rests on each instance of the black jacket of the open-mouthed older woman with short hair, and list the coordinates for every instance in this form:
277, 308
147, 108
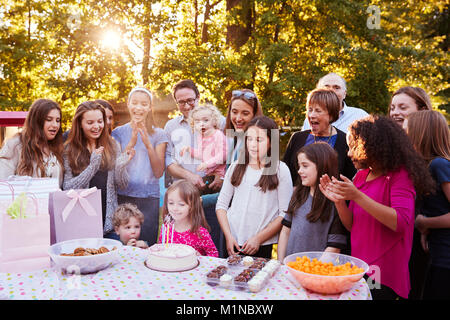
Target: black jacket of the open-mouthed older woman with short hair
298, 140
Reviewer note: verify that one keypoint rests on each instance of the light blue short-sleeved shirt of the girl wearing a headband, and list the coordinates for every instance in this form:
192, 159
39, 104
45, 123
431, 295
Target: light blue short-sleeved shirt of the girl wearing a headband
142, 182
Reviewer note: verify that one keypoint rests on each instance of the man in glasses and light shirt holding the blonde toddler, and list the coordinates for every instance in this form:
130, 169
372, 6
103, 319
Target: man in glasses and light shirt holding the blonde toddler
180, 134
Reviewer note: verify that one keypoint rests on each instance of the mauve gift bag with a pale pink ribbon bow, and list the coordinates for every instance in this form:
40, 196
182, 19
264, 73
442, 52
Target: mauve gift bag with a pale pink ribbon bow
75, 214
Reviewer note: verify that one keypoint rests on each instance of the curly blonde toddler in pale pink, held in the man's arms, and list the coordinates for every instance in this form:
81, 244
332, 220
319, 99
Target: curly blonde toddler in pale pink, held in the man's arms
211, 142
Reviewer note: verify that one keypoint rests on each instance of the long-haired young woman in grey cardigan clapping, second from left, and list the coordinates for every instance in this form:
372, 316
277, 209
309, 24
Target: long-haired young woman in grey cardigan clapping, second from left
93, 159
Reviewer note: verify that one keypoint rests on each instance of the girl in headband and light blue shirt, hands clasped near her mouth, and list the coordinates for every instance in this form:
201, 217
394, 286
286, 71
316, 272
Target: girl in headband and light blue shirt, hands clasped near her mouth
147, 166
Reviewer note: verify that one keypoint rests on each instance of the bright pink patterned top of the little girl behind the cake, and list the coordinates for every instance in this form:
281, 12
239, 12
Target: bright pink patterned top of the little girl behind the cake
203, 243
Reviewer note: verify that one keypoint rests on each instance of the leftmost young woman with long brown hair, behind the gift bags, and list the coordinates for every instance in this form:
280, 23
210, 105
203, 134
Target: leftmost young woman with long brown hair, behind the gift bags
37, 150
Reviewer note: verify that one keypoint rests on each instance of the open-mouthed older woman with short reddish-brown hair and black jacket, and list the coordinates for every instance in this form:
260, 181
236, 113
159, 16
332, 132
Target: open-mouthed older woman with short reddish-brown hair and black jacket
322, 109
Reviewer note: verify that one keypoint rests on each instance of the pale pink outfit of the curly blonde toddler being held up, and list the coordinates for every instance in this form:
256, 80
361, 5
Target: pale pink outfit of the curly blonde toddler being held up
213, 151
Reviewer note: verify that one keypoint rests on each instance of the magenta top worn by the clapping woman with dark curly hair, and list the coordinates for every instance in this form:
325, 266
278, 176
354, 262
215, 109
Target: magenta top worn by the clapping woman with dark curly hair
374, 242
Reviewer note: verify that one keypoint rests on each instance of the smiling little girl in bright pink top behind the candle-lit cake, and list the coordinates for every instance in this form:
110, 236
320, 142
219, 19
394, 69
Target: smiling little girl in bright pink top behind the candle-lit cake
183, 208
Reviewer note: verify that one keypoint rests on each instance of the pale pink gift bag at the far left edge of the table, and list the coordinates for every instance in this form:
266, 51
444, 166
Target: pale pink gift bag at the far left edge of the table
24, 239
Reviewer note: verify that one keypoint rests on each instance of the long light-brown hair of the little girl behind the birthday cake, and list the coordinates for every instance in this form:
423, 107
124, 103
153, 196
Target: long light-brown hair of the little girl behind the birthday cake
189, 193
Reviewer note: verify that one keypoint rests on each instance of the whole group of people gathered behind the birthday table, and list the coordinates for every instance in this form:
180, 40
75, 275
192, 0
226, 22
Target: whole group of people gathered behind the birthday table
375, 187
